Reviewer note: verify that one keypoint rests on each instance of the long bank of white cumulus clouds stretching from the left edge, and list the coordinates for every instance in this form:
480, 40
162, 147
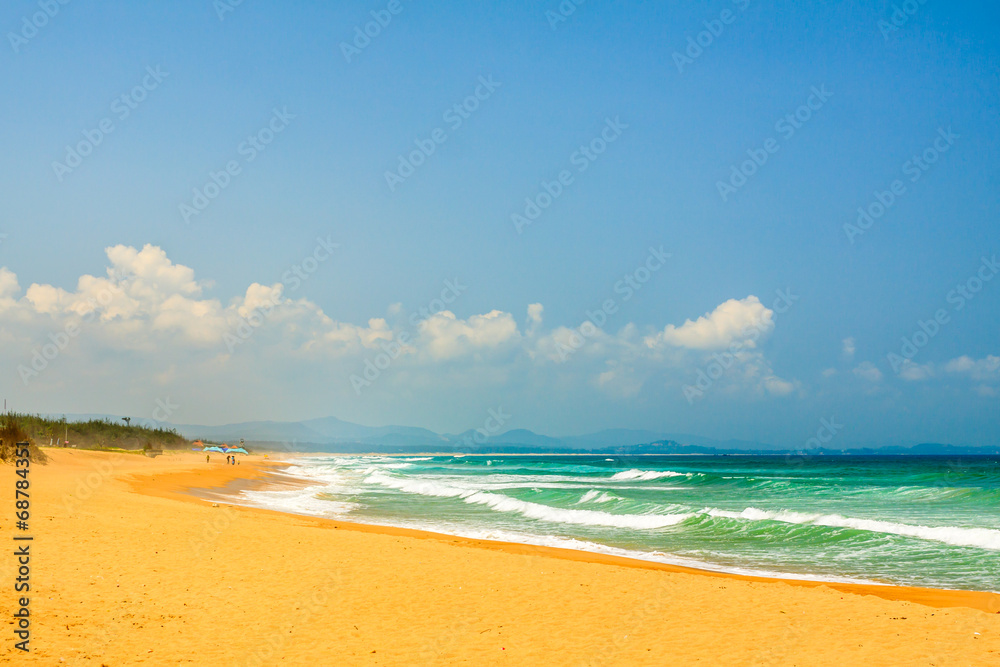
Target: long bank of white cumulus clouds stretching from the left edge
153, 320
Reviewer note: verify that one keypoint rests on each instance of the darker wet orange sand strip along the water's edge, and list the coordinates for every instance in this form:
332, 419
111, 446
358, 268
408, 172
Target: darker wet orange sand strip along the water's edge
267, 478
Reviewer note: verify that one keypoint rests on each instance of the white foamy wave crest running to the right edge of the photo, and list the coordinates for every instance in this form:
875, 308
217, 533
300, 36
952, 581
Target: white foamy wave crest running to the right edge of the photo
983, 538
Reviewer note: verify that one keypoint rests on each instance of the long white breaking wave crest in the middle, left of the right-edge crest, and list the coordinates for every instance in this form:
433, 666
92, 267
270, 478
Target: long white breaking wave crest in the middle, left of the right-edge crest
502, 503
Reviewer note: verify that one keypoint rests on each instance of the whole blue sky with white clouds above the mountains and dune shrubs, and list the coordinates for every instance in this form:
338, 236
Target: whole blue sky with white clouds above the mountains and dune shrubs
163, 332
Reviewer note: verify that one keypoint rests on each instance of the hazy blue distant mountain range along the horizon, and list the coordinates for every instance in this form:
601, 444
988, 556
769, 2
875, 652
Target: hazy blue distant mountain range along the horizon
328, 434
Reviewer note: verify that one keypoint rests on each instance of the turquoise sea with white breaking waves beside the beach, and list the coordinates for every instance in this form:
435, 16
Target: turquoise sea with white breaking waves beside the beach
925, 521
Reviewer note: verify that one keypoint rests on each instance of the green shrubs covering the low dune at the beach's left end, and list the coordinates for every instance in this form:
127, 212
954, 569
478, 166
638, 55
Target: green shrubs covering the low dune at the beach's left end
94, 434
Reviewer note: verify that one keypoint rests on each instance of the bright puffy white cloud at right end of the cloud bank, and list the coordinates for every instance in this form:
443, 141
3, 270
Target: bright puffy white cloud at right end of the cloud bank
736, 321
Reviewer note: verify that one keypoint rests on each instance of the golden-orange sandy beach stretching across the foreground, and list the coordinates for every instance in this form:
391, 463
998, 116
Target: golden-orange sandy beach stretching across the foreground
131, 566
